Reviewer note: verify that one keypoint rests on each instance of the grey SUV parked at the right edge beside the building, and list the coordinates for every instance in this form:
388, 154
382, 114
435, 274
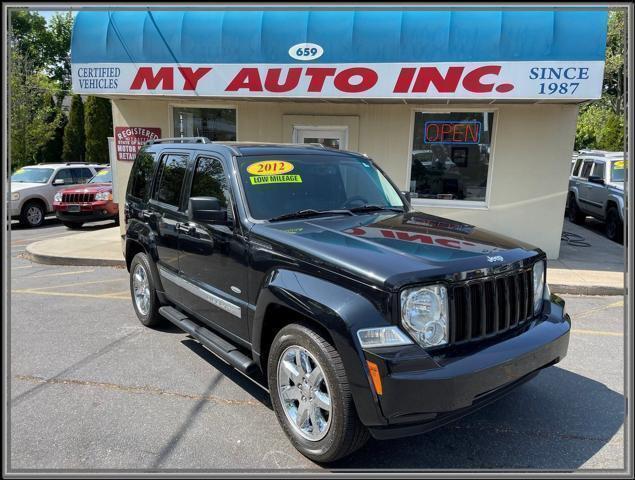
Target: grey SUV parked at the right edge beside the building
596, 188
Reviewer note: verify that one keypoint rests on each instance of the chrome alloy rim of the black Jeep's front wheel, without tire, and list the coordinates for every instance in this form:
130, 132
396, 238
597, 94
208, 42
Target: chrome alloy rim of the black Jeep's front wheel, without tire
304, 393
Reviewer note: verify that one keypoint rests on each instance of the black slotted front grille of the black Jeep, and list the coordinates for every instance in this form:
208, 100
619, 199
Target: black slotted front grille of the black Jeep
487, 307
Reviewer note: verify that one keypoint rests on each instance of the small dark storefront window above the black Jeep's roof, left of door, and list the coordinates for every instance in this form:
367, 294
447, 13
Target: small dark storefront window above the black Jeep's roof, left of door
217, 124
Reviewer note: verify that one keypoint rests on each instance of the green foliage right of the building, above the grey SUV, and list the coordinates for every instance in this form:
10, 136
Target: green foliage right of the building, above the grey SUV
601, 123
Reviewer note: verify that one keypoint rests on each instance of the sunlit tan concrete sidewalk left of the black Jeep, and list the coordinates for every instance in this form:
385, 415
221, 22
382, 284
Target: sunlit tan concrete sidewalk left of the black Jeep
100, 247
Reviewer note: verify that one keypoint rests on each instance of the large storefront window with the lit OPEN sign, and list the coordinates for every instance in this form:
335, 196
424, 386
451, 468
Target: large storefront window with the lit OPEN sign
451, 155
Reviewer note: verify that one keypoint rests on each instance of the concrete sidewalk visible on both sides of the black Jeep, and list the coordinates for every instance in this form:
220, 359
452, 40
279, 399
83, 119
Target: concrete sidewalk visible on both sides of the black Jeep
594, 270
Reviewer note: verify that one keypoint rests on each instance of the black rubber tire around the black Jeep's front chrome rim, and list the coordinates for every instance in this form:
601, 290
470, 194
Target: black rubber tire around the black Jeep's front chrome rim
346, 433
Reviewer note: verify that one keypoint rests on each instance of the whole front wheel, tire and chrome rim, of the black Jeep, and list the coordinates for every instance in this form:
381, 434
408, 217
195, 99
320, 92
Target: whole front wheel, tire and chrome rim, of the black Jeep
311, 396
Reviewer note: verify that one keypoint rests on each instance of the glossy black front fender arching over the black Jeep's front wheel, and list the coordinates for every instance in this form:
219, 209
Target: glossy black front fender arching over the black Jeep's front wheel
338, 310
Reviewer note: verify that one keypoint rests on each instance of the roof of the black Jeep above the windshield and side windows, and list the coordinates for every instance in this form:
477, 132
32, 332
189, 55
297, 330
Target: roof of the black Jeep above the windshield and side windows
255, 148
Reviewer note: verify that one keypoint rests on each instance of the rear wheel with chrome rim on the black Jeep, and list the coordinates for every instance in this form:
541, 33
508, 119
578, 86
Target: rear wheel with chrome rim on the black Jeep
142, 288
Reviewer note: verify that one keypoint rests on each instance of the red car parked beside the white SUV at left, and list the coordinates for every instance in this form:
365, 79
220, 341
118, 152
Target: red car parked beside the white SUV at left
91, 202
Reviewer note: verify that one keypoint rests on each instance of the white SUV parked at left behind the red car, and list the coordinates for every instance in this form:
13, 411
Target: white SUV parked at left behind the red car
33, 188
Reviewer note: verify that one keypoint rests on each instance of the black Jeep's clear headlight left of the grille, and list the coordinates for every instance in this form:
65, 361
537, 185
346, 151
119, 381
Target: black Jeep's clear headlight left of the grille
424, 313
